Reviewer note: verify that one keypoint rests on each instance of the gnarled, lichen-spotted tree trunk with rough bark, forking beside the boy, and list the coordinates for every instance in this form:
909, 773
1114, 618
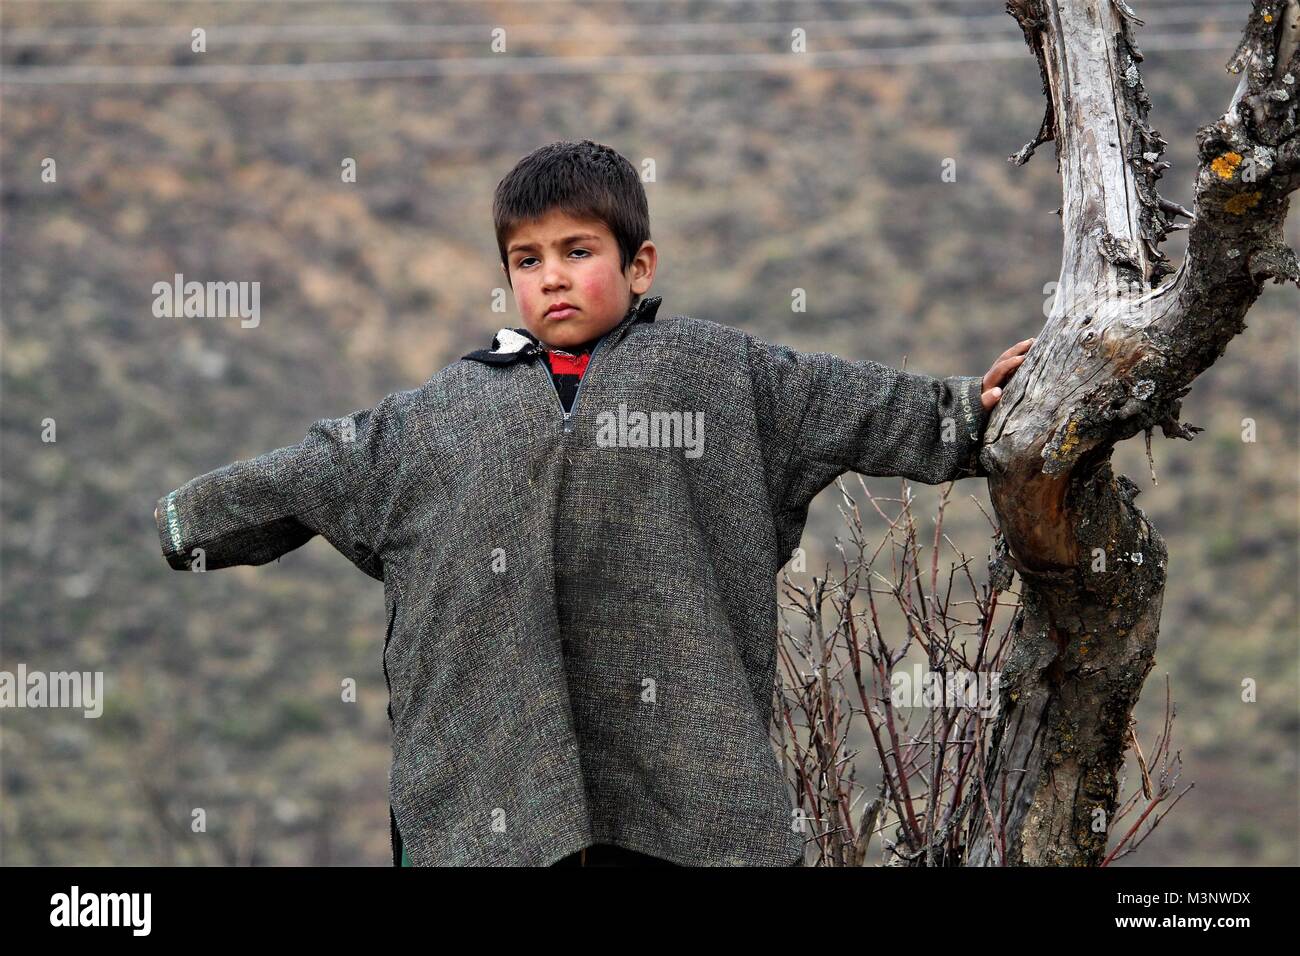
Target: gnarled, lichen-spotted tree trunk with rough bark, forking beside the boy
1125, 340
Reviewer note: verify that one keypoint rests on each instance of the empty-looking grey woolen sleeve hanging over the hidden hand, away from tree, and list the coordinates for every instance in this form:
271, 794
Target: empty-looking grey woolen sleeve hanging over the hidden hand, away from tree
336, 483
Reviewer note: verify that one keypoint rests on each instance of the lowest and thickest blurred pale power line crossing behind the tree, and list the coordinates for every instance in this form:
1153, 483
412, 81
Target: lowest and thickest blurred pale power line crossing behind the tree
561, 66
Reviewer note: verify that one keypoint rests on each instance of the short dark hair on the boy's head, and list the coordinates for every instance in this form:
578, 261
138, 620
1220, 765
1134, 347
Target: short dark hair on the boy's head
587, 181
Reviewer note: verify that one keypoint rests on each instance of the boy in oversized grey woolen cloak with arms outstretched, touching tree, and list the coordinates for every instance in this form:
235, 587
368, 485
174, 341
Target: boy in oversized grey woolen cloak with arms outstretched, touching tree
582, 609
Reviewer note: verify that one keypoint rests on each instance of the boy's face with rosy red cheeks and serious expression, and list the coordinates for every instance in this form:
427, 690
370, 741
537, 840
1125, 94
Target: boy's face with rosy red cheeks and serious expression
577, 262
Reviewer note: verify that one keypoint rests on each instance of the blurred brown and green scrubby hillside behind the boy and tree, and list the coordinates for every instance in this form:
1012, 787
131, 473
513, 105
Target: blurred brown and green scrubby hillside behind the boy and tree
224, 689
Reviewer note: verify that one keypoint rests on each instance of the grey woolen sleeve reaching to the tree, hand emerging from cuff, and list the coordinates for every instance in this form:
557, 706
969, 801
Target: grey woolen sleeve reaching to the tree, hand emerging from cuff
822, 416
